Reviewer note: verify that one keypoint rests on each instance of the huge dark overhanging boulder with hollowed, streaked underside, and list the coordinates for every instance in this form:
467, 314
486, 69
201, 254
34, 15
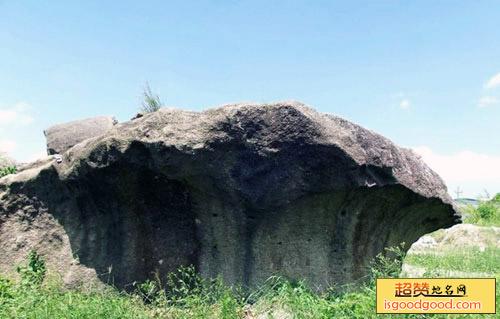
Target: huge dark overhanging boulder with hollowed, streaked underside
243, 190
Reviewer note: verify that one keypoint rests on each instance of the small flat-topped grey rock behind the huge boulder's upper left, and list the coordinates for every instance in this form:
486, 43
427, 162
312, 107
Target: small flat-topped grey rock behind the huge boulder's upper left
62, 137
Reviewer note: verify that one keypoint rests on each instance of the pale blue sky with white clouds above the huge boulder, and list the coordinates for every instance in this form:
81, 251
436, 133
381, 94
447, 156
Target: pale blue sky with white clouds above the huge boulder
421, 73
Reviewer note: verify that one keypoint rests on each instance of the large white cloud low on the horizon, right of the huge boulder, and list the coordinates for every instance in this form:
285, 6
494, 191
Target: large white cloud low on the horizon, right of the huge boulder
466, 169
